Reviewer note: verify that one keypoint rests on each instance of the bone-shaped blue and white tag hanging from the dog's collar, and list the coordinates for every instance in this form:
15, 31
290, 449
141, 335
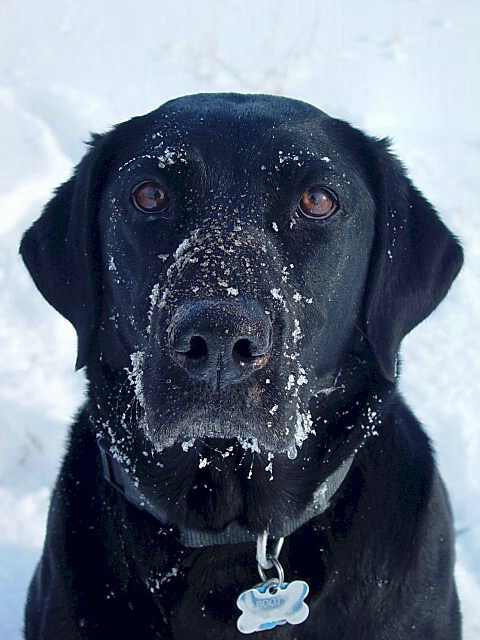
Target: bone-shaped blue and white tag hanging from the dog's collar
272, 603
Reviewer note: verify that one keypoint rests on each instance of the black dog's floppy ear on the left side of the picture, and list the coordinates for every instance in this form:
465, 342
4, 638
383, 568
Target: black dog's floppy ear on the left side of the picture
61, 250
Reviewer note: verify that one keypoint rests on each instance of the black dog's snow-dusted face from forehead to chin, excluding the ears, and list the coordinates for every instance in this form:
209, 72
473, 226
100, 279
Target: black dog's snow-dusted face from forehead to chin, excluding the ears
236, 246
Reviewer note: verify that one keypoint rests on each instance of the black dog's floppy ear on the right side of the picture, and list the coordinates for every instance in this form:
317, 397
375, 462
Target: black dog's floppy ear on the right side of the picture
415, 259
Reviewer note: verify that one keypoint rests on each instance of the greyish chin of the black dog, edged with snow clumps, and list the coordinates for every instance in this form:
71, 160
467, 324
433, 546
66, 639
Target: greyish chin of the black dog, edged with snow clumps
282, 434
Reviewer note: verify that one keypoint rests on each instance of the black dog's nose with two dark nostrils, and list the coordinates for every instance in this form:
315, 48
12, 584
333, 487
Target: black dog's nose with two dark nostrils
220, 342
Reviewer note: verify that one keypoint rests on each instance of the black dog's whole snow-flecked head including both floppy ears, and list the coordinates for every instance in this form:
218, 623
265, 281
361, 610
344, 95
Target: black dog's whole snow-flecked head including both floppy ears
233, 254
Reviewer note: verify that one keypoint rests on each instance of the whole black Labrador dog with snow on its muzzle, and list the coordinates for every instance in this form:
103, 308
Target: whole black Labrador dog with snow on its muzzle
241, 271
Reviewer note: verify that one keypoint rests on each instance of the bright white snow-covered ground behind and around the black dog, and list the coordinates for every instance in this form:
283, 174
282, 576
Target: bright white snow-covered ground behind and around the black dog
405, 68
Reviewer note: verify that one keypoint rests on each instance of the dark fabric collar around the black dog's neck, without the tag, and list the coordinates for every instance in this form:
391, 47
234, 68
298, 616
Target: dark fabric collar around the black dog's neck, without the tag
117, 476
